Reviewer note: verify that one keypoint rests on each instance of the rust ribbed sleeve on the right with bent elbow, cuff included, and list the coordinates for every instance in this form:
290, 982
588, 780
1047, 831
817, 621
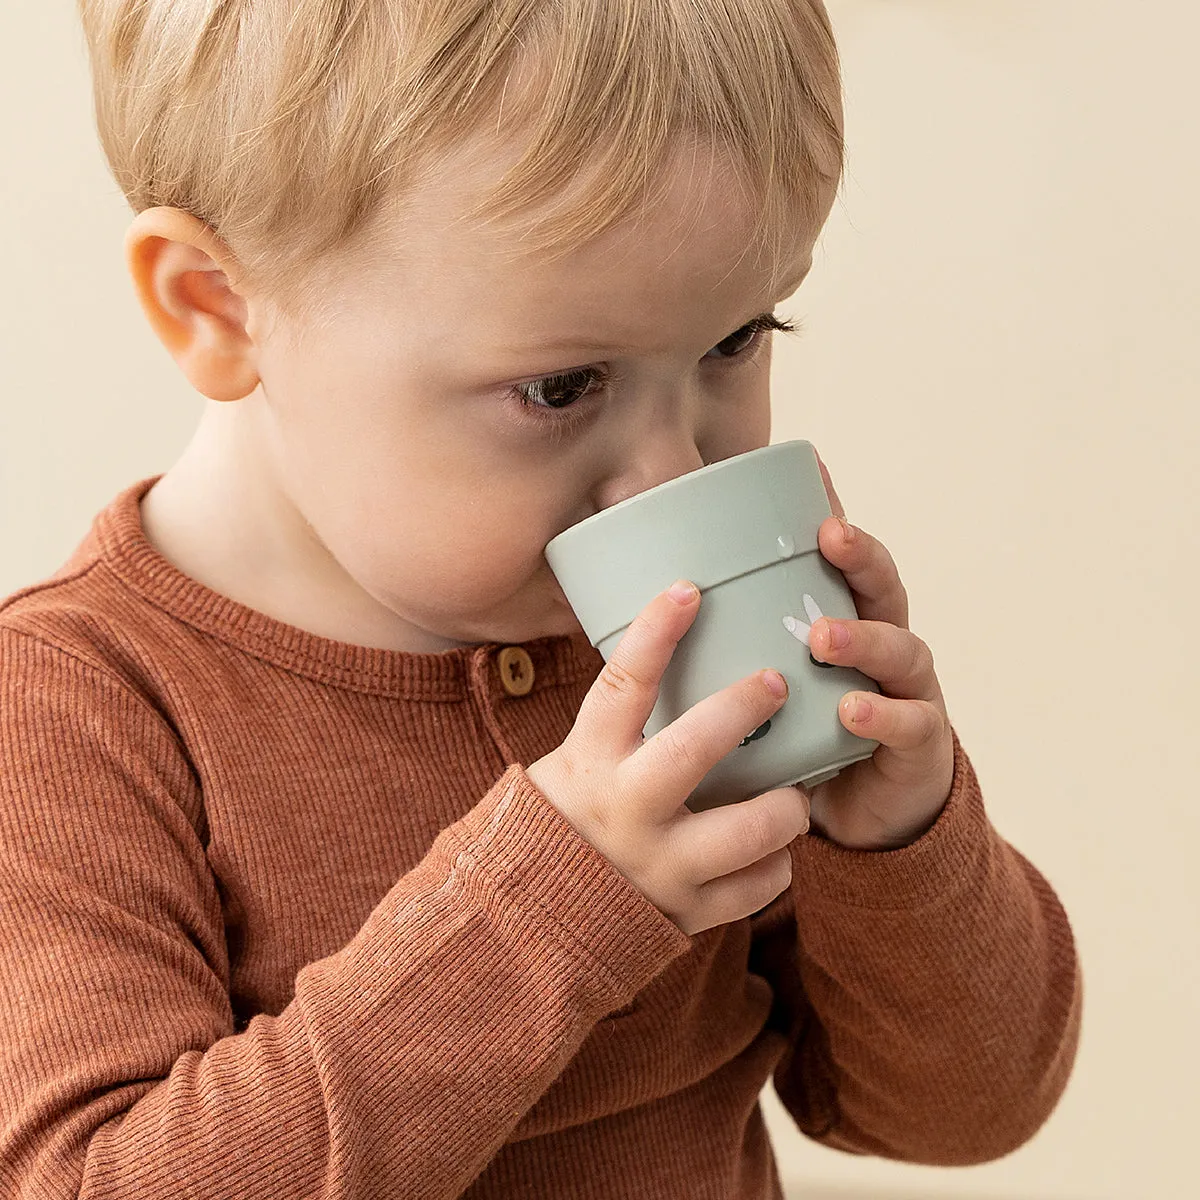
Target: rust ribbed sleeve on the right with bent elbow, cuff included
931, 995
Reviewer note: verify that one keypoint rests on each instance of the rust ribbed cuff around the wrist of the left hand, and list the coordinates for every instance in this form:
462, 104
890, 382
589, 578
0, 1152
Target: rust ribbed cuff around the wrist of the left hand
536, 857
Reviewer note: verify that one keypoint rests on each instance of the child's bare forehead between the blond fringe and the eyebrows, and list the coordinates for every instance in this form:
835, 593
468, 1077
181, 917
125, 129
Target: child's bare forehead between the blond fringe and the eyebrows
639, 293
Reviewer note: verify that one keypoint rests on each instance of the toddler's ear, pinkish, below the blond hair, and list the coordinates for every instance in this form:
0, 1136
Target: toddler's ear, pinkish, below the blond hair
183, 275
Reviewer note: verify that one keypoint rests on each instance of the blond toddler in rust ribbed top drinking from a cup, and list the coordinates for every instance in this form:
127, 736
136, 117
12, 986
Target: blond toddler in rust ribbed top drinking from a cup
335, 863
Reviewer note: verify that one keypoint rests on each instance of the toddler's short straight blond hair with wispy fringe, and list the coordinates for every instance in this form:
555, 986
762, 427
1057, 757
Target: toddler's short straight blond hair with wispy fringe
285, 125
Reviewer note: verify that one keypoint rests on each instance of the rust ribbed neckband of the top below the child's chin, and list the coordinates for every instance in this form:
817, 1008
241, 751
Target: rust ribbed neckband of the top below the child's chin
129, 554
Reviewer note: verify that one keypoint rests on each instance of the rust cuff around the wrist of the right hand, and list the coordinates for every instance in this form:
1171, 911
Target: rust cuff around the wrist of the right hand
938, 865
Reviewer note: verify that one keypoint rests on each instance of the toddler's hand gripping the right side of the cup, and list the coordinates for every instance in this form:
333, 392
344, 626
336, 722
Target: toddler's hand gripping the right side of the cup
893, 797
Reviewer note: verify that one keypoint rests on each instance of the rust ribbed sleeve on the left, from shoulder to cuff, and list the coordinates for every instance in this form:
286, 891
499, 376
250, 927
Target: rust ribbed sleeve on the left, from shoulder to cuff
404, 1061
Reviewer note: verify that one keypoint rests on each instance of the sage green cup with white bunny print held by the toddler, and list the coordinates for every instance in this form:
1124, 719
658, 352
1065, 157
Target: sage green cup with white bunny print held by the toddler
745, 531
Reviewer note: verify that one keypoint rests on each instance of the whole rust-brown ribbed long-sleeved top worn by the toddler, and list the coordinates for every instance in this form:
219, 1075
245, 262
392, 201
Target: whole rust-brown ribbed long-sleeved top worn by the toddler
283, 917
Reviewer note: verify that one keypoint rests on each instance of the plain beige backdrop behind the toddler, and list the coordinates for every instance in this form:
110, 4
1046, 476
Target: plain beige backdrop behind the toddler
1000, 371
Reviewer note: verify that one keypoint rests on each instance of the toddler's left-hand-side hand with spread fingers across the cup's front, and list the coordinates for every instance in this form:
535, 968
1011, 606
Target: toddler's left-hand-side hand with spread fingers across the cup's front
625, 794
